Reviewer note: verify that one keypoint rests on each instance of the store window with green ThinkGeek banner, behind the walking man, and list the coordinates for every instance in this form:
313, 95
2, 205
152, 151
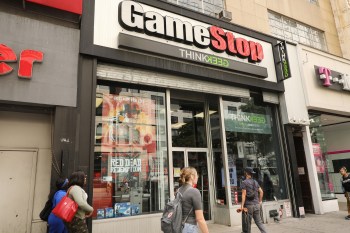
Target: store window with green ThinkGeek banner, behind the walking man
252, 141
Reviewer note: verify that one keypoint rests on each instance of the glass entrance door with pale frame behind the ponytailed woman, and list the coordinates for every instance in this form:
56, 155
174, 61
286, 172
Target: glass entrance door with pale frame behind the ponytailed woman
197, 158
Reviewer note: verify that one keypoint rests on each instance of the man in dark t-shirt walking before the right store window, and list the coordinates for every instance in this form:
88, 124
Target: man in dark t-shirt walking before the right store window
252, 196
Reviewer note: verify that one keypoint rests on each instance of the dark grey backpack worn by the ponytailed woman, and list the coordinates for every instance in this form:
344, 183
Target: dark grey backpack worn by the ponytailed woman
171, 221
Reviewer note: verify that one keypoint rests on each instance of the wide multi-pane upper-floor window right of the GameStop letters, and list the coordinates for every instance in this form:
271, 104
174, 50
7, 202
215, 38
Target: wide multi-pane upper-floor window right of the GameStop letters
291, 30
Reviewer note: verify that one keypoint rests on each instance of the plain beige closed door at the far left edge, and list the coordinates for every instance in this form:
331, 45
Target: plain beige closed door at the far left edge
17, 175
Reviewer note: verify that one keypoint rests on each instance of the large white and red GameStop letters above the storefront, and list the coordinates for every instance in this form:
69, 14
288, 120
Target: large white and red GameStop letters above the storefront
132, 17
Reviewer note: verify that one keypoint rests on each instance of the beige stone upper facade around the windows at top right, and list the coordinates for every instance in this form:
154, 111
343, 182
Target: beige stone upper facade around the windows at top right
254, 14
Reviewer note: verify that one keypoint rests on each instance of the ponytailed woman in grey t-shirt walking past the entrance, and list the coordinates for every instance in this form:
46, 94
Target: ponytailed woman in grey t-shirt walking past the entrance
192, 211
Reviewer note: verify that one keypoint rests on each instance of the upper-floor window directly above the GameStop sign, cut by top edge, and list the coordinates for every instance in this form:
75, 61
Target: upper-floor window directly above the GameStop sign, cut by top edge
210, 7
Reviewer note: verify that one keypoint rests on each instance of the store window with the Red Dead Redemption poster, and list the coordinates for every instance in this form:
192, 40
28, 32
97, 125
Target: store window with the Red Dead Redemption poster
130, 160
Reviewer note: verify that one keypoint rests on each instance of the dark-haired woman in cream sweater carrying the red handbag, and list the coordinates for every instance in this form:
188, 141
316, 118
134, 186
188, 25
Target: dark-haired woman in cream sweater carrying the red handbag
76, 192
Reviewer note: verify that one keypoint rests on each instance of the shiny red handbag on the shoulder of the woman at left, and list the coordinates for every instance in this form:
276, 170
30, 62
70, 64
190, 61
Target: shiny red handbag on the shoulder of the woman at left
66, 208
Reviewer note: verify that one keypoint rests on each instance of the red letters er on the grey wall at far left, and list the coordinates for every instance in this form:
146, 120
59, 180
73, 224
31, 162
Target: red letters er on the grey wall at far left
26, 61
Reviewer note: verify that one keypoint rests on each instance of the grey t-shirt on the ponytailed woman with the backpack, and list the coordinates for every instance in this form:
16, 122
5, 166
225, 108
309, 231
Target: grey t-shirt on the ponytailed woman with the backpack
191, 198
